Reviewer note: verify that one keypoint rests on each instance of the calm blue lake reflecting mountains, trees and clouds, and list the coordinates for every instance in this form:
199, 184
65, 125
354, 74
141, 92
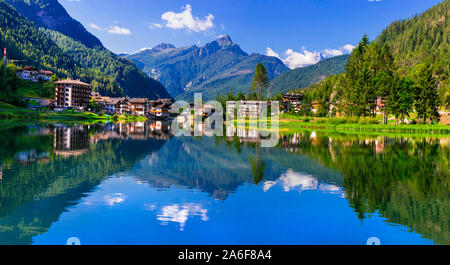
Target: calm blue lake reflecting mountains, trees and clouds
137, 184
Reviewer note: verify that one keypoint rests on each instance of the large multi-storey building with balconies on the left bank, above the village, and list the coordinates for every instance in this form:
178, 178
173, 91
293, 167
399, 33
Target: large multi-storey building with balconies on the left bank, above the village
72, 93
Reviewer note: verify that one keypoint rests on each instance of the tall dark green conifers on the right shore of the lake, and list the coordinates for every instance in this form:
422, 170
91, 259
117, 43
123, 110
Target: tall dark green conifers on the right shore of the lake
372, 79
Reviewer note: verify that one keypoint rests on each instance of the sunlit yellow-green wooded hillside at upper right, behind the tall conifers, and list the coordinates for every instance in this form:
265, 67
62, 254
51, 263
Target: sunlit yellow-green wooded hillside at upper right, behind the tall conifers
423, 38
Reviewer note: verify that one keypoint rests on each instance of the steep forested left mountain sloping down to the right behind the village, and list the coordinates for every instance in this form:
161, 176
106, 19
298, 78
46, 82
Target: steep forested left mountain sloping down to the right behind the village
50, 49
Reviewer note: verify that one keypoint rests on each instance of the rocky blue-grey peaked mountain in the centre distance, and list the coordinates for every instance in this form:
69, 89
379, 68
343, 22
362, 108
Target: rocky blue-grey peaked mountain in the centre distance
214, 68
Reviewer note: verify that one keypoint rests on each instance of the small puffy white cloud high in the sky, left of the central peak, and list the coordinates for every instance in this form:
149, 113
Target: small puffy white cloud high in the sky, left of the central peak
186, 20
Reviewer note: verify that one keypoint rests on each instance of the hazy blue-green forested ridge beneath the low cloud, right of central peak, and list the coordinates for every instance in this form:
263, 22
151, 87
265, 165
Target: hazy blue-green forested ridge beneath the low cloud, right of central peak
306, 76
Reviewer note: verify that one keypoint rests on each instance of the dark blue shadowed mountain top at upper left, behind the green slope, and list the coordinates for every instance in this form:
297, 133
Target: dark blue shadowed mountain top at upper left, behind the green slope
50, 14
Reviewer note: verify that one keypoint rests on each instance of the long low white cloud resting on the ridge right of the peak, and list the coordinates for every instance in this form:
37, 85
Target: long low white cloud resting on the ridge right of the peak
296, 59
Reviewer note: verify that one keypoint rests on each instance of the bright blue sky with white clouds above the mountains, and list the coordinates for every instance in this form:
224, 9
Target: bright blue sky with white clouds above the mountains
294, 30
